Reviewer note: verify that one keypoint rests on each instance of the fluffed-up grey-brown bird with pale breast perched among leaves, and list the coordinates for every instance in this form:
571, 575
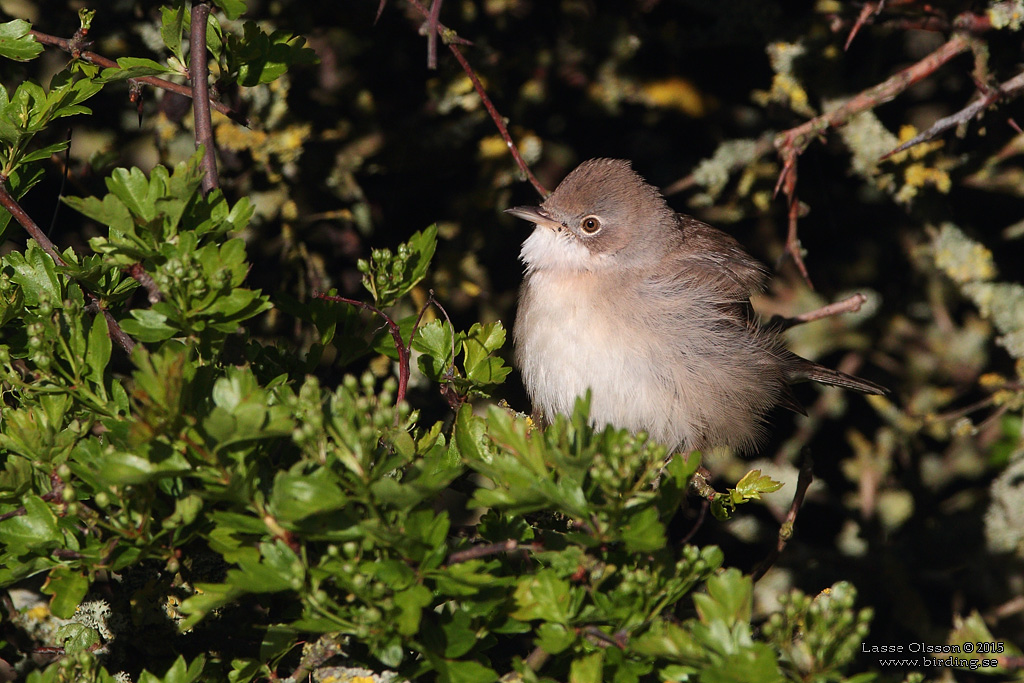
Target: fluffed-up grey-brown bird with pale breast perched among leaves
649, 311
